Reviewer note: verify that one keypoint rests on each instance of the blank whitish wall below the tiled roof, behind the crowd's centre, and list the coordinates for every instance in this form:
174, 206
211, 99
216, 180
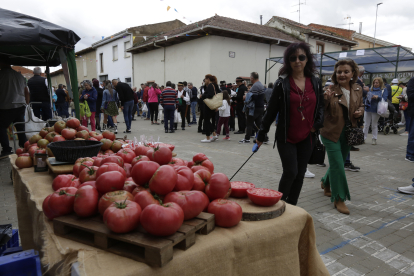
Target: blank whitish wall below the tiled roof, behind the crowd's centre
191, 61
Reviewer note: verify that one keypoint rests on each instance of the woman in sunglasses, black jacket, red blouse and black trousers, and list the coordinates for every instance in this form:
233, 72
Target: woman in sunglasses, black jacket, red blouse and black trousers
298, 98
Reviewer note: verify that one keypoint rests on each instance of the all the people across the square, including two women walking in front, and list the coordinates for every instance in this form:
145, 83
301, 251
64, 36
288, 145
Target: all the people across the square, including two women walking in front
303, 110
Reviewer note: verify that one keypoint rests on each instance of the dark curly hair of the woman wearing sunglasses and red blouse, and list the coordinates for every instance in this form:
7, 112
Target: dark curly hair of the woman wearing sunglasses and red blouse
310, 67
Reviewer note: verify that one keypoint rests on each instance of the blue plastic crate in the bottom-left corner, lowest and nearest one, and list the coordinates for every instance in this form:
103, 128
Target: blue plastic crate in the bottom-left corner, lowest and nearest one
19, 264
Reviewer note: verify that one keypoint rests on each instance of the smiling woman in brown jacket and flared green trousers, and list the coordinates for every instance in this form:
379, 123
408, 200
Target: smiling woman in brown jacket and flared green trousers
343, 108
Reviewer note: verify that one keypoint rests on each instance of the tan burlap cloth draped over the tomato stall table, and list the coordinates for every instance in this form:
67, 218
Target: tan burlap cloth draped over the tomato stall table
281, 246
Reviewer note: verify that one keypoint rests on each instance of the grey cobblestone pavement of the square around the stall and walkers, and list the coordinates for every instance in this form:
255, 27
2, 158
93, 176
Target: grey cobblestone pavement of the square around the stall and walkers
376, 239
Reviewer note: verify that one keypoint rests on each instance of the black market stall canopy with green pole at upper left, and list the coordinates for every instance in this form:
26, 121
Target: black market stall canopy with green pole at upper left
31, 41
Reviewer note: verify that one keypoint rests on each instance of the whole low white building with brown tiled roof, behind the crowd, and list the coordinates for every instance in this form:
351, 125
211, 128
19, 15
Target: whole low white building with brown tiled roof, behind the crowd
189, 54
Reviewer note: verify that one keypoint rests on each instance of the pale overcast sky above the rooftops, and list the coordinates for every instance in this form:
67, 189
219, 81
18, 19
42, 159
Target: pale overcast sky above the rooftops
93, 19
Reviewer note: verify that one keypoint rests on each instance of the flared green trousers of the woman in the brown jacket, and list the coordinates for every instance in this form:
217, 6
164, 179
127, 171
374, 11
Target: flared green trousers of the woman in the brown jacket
335, 176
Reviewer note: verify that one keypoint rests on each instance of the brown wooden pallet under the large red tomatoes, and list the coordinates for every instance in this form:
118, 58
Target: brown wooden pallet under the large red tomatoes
137, 245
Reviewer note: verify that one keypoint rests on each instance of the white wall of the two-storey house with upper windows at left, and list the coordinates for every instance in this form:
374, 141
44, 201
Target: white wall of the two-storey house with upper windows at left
121, 68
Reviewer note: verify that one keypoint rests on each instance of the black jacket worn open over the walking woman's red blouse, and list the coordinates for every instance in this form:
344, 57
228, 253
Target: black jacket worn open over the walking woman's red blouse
280, 103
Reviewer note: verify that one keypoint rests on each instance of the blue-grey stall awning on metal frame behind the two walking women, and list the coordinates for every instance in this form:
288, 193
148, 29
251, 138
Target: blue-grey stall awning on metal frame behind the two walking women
375, 60
